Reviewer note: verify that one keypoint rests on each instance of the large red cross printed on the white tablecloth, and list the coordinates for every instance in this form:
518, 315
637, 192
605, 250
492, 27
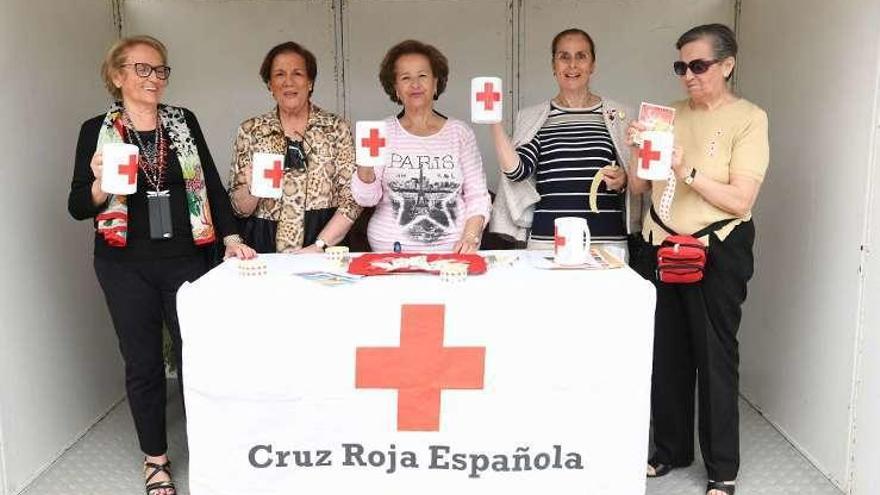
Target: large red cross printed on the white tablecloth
420, 368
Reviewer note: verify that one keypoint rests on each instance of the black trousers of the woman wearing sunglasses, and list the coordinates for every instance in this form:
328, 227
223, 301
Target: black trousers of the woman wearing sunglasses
695, 342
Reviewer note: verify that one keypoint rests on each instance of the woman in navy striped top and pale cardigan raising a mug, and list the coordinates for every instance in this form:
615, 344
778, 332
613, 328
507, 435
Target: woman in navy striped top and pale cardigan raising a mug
558, 148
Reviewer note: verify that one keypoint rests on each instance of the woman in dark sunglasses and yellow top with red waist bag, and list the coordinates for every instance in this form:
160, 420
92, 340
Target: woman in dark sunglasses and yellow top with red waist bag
720, 156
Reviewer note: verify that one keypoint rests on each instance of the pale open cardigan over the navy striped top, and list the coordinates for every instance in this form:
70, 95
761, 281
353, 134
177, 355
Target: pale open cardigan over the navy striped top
515, 201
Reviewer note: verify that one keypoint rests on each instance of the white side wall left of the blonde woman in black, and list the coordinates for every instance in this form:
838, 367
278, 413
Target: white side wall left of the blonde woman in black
59, 369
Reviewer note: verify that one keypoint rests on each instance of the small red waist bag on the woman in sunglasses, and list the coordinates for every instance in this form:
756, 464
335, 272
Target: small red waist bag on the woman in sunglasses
681, 259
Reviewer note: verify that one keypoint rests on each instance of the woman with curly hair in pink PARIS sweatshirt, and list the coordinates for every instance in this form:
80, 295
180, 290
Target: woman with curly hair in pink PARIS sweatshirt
431, 193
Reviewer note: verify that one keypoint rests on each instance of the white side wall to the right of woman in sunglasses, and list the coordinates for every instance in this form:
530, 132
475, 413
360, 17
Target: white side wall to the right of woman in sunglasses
812, 65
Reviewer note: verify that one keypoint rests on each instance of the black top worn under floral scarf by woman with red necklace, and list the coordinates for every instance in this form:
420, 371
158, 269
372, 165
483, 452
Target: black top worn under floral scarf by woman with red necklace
139, 246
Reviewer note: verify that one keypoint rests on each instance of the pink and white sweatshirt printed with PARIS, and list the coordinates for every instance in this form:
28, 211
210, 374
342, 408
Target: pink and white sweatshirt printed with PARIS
427, 189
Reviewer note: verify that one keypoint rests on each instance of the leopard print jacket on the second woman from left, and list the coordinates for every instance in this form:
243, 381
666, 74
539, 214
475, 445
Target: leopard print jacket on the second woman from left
325, 183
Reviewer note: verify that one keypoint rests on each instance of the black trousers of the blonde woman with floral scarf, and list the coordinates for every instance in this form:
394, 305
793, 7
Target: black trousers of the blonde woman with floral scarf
141, 296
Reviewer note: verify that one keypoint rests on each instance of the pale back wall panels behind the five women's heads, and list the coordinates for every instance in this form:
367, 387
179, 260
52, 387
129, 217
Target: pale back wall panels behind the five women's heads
215, 64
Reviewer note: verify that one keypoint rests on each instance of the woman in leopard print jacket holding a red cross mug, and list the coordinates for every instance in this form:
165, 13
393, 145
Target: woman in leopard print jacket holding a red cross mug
316, 208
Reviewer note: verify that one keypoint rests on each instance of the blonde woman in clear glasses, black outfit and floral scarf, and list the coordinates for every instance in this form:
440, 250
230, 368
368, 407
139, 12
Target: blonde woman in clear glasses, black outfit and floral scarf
149, 243
